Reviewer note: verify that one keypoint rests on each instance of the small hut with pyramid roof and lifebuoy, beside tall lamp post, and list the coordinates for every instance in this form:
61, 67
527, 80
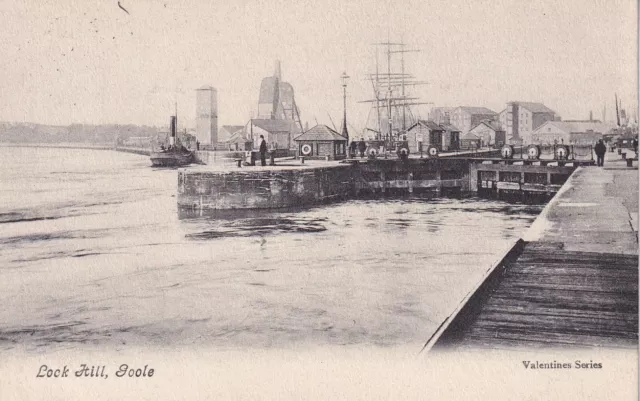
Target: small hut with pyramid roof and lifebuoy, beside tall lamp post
321, 142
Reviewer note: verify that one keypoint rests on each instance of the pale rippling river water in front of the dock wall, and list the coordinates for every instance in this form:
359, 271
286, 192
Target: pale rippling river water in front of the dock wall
94, 252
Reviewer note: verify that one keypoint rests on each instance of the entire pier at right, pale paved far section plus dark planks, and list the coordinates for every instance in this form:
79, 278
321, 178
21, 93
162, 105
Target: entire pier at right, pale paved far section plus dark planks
571, 283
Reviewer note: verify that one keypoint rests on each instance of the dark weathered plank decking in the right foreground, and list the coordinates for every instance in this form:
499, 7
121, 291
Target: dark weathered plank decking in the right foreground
548, 297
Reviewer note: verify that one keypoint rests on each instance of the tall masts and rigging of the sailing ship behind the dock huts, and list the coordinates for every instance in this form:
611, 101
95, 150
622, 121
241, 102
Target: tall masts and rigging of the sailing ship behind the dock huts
391, 111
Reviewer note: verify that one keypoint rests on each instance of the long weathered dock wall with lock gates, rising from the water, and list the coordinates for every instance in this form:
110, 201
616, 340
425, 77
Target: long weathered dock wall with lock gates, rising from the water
295, 184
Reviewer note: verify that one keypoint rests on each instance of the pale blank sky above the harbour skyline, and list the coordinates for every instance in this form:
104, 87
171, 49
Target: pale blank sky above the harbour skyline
83, 61
